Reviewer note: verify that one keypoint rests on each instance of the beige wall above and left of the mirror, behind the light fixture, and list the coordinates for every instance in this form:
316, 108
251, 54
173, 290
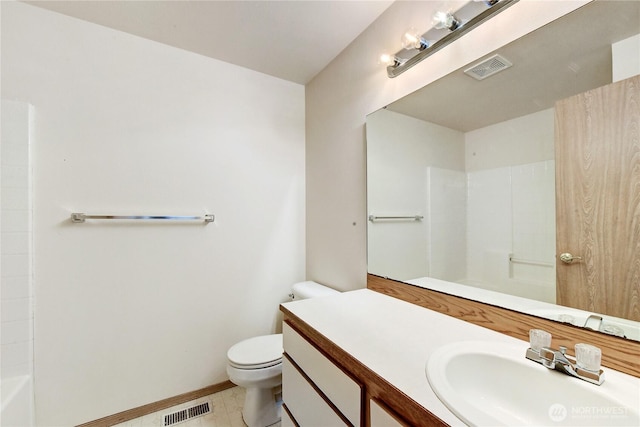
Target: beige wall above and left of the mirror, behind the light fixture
351, 87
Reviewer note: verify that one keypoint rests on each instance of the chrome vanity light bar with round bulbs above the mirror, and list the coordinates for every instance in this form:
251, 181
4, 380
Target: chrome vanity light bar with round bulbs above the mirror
447, 27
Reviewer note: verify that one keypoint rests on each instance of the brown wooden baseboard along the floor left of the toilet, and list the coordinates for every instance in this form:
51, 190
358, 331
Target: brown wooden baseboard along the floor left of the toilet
157, 406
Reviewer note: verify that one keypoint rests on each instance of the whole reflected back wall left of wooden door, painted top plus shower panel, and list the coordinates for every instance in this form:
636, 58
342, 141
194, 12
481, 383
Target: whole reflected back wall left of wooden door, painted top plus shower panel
511, 205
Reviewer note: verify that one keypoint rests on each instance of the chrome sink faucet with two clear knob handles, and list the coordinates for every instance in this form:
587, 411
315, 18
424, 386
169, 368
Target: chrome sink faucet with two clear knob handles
560, 361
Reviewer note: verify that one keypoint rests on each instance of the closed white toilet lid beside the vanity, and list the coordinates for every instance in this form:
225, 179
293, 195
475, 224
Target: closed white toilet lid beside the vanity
256, 352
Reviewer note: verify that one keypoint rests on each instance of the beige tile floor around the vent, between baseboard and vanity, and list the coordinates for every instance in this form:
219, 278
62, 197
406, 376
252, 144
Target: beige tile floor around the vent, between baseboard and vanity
226, 412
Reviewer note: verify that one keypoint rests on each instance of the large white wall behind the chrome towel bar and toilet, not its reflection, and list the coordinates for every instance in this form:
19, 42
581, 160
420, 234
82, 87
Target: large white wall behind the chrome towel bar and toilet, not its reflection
131, 313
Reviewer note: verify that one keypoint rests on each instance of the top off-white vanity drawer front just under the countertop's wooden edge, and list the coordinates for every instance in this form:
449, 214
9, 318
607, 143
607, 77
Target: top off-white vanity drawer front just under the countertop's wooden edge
343, 391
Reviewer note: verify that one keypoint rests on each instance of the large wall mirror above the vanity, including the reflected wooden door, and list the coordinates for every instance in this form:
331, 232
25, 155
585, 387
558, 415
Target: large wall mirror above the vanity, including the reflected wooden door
463, 176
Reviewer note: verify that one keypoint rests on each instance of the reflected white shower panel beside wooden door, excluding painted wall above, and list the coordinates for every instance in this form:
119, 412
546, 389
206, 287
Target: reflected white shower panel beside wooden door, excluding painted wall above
511, 216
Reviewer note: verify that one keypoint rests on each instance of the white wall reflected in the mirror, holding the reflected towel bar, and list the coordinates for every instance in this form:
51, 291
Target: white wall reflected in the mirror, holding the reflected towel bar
400, 150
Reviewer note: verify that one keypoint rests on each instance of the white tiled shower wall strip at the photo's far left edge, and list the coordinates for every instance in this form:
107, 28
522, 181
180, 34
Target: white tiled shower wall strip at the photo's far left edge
15, 237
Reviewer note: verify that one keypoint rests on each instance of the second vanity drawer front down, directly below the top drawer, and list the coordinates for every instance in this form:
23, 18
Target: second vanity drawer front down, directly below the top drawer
307, 407
